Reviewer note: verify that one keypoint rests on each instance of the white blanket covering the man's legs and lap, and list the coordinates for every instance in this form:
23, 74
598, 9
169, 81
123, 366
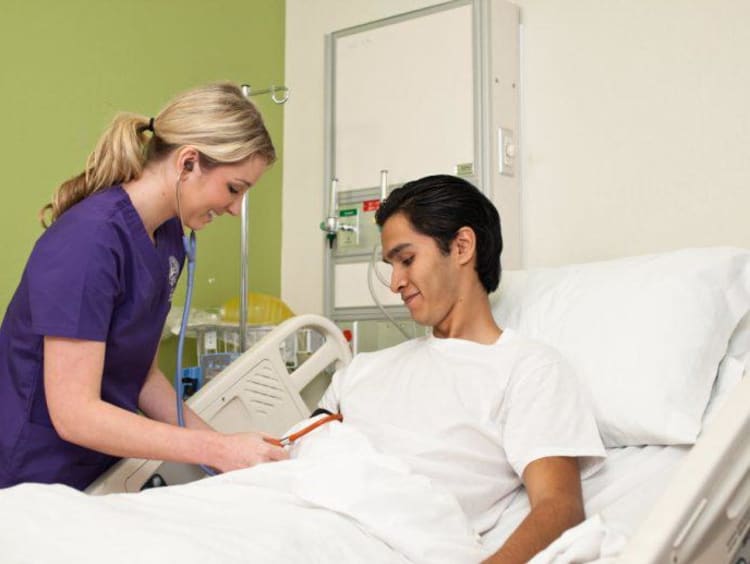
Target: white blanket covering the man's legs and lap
337, 500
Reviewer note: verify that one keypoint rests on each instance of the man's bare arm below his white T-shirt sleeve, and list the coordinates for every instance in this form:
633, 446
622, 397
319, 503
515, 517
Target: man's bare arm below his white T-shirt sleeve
554, 488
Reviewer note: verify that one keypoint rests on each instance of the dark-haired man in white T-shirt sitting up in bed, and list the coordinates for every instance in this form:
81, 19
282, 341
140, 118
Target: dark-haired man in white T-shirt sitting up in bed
479, 409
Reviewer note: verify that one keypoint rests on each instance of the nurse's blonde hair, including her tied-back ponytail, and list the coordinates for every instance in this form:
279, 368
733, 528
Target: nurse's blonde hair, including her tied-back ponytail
218, 120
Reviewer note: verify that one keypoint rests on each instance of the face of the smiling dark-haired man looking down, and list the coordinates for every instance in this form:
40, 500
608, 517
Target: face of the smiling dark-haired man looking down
426, 279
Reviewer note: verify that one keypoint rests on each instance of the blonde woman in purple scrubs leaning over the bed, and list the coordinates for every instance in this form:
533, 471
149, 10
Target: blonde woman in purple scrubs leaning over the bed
79, 341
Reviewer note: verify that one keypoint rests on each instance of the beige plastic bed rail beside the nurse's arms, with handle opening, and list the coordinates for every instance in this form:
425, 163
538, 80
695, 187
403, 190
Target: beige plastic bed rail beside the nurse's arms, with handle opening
256, 392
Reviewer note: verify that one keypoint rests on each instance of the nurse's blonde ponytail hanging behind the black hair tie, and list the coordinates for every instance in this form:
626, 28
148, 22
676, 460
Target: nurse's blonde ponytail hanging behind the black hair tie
119, 157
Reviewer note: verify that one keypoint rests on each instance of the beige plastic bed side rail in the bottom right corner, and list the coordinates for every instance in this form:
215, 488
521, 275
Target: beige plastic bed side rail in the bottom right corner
704, 515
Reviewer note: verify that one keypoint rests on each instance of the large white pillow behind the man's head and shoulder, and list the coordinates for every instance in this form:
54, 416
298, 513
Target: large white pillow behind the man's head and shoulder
644, 335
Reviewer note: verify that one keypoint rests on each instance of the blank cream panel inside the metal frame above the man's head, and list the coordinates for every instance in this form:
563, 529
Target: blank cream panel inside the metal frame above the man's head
404, 98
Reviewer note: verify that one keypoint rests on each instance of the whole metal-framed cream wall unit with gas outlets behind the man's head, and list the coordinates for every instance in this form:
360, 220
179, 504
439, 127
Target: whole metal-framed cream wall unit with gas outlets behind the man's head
427, 92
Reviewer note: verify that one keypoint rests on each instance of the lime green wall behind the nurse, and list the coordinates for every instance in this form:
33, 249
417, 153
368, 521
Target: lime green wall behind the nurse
66, 67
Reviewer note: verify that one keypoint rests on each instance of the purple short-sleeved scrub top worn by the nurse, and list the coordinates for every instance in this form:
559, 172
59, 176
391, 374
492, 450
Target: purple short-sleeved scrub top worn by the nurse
94, 275
